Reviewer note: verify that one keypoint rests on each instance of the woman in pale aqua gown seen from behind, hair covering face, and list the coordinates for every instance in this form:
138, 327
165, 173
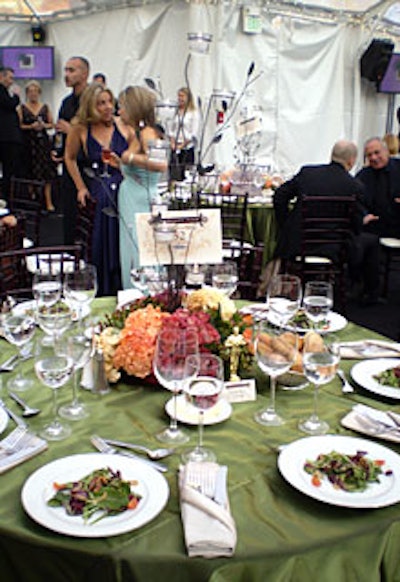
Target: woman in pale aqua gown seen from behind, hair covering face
141, 175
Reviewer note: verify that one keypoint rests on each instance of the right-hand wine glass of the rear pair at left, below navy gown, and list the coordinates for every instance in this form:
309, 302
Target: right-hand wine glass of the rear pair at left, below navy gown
80, 288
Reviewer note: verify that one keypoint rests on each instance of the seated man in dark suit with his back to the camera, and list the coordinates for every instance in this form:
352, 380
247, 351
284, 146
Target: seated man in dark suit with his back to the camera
331, 179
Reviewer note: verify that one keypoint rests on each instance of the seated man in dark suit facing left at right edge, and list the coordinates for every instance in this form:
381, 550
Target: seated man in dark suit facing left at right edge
381, 181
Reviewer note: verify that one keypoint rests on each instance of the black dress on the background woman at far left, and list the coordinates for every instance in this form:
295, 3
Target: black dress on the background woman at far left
37, 147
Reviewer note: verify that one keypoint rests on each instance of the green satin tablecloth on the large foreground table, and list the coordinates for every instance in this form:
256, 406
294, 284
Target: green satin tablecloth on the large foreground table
282, 534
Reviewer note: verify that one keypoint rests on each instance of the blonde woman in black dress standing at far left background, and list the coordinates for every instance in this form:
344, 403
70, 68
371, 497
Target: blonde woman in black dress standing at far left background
35, 119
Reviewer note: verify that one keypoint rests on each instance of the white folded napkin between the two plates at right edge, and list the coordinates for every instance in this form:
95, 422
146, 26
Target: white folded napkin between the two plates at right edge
373, 422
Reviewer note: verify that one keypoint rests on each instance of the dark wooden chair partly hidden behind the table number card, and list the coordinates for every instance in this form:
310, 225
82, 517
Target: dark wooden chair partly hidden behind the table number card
233, 217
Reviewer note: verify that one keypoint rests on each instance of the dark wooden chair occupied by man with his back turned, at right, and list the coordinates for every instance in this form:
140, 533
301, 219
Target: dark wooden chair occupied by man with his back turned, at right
326, 228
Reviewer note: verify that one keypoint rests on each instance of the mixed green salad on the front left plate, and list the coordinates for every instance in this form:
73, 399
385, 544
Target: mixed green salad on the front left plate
103, 491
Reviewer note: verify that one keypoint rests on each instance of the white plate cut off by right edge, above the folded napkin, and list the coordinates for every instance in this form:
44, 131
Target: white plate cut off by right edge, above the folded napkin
363, 374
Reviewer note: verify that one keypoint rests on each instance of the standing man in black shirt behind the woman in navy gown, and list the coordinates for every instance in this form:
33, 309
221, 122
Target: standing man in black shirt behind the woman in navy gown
76, 75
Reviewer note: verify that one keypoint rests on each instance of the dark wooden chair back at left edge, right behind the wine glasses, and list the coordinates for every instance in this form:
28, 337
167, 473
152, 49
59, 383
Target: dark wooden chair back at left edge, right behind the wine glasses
17, 266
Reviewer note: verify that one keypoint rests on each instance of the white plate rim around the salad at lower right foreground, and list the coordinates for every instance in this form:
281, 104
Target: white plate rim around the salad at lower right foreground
291, 465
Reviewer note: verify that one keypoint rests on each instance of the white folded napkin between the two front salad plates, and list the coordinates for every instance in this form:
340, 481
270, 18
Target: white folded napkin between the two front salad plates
209, 528
